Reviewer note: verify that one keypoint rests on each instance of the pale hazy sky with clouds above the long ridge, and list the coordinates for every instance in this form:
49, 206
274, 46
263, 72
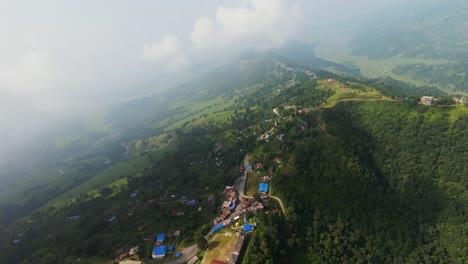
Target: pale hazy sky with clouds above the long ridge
61, 58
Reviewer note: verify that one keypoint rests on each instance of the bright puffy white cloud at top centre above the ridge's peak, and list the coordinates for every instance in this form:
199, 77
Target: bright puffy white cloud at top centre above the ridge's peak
261, 23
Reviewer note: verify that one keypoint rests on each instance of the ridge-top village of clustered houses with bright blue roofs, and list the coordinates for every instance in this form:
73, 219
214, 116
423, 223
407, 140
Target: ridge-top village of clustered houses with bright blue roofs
236, 219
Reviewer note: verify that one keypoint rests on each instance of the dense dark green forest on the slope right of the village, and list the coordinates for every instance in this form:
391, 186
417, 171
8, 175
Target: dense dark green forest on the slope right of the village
386, 182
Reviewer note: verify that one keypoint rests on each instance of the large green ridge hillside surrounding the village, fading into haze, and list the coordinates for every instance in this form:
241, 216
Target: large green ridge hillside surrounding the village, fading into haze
363, 177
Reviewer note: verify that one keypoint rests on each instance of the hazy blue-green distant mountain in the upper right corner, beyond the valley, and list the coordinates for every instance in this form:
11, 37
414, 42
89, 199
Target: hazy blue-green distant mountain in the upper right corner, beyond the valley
439, 31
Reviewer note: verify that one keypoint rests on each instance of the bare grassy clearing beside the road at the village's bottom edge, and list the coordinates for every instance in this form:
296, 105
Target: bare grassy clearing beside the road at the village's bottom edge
220, 247
